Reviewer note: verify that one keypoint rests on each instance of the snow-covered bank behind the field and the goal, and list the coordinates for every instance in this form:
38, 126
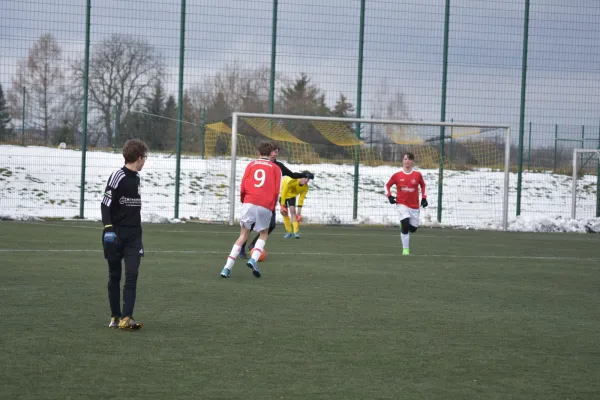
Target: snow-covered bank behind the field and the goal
38, 182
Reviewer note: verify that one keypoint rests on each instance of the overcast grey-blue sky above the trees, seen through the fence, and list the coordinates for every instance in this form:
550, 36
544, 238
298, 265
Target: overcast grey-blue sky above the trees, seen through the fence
403, 49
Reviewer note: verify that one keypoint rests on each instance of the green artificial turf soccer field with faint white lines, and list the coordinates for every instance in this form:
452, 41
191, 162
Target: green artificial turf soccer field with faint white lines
337, 314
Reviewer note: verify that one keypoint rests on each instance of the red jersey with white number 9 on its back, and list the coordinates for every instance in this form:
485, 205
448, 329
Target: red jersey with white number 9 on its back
260, 184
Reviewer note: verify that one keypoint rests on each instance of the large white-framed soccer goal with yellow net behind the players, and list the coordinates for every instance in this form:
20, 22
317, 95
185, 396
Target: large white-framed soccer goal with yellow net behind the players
465, 166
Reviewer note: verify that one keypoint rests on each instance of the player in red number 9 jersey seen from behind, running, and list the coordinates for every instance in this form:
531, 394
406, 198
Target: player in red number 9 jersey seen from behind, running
259, 192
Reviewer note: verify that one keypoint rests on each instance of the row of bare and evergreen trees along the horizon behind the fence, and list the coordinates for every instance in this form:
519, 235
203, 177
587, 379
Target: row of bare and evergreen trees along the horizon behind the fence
127, 96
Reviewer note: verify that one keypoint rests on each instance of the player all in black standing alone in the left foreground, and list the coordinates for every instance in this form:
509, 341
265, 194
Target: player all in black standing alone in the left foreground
122, 233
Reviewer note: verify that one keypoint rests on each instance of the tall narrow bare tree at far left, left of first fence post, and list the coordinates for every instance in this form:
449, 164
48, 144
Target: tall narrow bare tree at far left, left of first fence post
40, 77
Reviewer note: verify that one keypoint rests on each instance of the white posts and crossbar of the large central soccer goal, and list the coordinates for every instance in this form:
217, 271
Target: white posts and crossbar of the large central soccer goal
237, 115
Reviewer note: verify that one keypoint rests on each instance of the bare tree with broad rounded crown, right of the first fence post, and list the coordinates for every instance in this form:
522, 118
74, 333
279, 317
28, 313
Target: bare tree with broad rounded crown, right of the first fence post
122, 71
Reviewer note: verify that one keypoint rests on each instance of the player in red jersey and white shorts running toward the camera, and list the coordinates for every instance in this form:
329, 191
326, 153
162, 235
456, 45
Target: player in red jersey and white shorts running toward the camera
407, 182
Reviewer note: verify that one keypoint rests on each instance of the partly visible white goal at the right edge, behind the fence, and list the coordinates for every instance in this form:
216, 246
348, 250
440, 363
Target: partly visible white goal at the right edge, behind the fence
585, 200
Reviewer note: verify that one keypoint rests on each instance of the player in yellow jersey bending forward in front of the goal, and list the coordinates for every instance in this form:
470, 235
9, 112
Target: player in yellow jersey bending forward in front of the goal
292, 213
